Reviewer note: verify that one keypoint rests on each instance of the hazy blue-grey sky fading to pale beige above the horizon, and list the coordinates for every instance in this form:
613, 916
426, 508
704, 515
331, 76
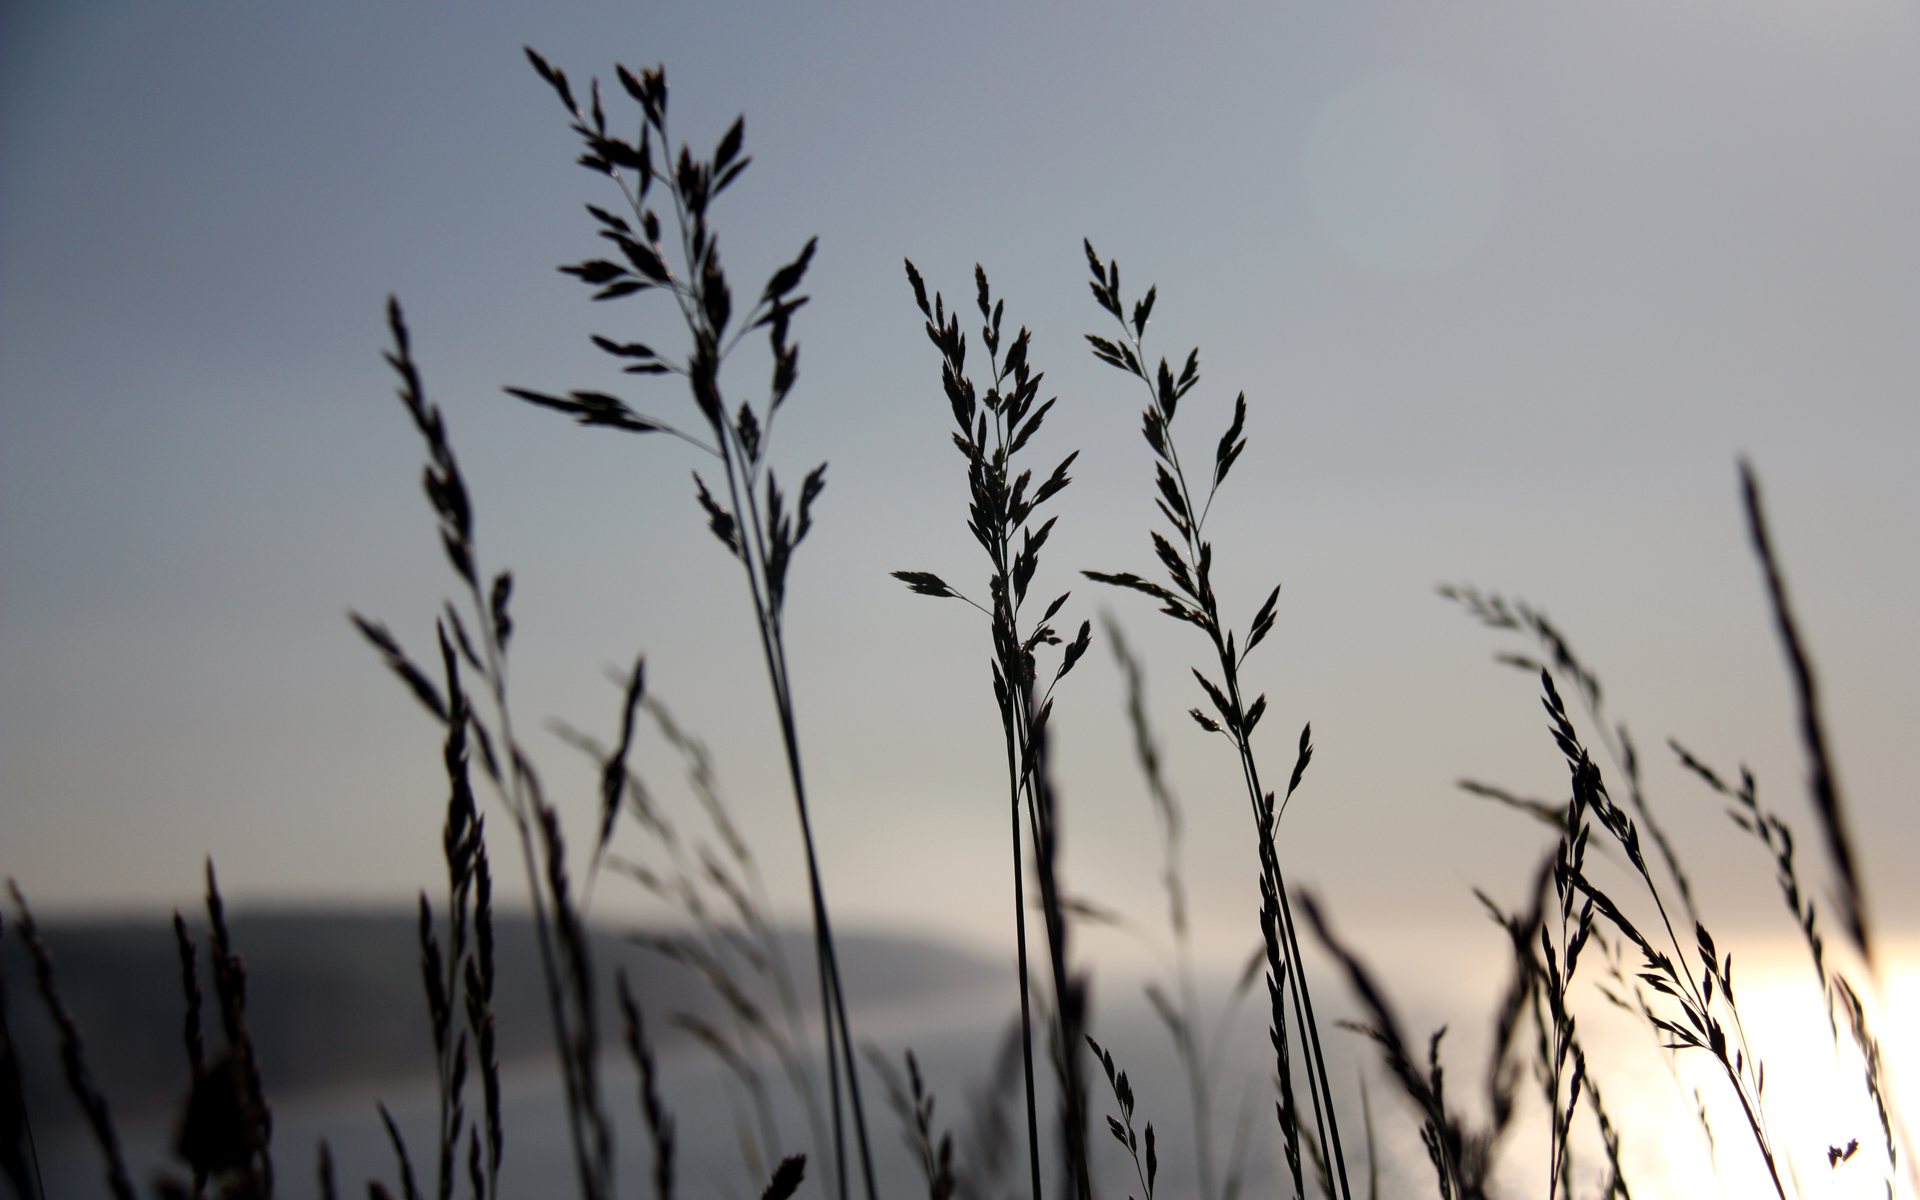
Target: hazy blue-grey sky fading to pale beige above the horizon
1508, 289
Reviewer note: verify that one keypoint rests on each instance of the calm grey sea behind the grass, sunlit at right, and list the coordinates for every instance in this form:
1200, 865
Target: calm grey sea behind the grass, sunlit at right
957, 1042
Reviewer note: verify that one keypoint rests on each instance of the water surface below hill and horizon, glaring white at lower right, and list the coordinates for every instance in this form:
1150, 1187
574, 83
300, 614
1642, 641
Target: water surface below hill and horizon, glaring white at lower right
1813, 1101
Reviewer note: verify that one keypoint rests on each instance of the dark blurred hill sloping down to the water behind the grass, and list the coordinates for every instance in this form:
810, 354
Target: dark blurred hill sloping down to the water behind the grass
335, 999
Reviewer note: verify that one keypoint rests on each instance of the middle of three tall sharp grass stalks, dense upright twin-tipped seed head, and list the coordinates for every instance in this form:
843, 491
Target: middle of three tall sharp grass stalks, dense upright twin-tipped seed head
999, 510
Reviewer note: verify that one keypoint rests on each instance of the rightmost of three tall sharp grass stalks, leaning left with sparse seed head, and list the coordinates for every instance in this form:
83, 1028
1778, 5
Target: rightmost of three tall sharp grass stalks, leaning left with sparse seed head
1189, 569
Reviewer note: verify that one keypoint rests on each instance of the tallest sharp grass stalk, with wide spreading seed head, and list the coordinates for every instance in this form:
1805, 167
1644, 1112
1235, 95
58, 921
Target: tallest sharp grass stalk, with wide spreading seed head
761, 535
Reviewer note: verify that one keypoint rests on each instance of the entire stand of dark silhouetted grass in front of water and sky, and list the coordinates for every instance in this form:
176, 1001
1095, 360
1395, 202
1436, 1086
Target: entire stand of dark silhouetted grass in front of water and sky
1612, 886
